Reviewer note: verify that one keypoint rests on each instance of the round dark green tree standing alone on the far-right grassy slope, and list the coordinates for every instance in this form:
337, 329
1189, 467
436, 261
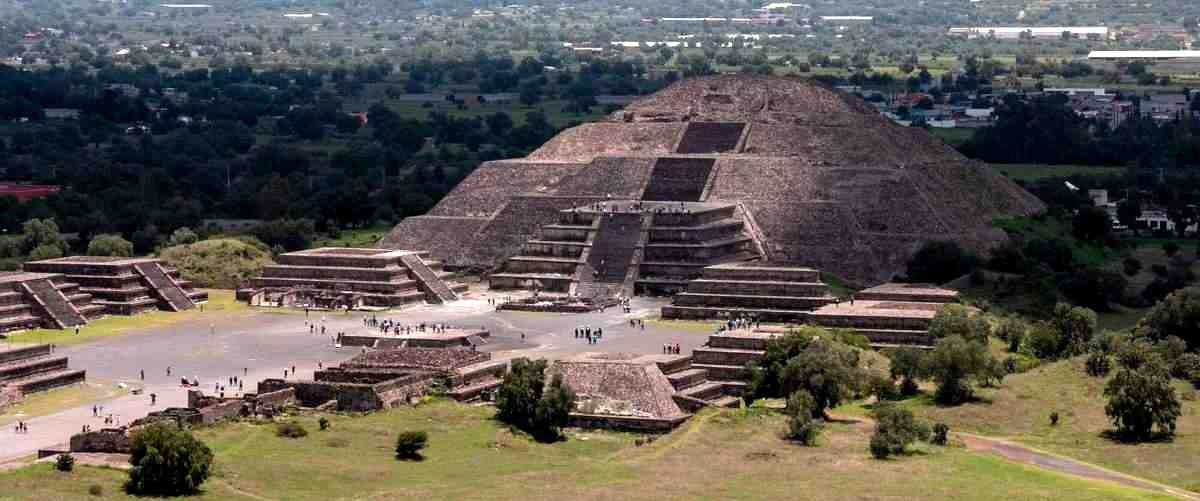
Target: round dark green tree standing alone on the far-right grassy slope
1142, 400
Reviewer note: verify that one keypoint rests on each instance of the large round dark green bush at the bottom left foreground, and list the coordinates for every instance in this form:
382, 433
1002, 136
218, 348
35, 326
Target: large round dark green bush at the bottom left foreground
167, 462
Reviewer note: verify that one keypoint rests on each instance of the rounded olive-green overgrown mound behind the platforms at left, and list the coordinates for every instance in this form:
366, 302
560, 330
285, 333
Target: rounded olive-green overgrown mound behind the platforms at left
220, 263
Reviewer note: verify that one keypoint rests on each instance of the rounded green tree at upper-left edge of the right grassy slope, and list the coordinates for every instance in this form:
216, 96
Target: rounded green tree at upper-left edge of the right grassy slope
952, 364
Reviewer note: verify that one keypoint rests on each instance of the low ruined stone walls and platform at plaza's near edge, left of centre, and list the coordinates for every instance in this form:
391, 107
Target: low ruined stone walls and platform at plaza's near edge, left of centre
385, 379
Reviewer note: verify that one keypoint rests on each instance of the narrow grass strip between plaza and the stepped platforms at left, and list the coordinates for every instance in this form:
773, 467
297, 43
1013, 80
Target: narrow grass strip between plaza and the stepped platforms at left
115, 325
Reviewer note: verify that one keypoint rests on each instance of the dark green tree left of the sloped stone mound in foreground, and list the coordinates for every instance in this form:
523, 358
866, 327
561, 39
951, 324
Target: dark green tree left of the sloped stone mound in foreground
524, 401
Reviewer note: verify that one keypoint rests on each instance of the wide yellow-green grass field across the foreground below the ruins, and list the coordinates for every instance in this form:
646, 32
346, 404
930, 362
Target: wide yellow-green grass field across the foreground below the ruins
728, 456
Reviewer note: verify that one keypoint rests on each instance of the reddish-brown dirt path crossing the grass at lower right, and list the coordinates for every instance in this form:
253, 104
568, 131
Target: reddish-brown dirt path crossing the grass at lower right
1019, 454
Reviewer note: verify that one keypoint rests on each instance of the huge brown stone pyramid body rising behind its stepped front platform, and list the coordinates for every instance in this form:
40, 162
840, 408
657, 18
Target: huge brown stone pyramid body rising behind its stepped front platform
819, 178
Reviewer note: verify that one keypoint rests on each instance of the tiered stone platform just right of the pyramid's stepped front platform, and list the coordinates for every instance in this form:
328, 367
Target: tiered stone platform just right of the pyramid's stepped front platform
761, 291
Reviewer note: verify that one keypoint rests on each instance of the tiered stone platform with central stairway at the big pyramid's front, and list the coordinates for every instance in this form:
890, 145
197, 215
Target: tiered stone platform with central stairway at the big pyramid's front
622, 248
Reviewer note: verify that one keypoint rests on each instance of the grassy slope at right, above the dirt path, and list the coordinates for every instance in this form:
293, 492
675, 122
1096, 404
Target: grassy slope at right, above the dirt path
1021, 412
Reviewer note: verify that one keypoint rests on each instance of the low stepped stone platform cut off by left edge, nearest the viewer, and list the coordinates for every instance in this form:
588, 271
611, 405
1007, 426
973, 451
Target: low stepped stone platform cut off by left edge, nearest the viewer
33, 369
